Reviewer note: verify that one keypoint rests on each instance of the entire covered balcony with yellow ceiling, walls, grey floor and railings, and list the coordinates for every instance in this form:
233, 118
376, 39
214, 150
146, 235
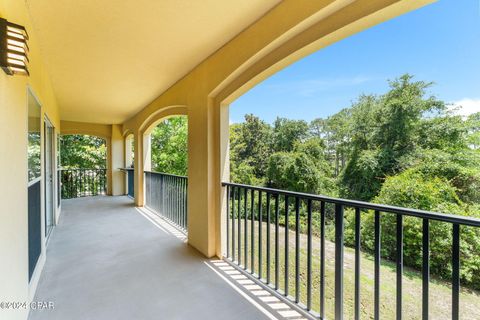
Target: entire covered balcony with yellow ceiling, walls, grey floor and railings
114, 70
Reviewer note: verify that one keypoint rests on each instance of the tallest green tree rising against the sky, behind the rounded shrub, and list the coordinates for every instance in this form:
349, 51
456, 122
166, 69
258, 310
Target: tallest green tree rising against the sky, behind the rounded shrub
385, 129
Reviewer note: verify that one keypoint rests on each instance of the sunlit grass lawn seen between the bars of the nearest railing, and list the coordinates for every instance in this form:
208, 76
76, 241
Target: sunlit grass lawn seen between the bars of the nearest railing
440, 291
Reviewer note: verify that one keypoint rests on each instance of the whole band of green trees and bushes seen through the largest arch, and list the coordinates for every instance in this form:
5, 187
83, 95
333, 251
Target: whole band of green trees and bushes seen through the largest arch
403, 148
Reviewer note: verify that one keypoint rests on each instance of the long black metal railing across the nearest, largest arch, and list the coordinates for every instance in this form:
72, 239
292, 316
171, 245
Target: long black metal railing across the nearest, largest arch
253, 228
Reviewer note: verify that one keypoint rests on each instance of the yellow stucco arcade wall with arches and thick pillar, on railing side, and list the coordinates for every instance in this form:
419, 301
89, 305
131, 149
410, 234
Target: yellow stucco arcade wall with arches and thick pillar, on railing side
290, 31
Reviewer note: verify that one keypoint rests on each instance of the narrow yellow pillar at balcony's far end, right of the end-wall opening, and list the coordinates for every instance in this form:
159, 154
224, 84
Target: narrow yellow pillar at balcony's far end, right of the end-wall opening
117, 156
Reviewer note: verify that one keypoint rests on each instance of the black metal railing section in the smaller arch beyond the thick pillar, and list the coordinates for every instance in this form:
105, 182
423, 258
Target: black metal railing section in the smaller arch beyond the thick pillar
166, 194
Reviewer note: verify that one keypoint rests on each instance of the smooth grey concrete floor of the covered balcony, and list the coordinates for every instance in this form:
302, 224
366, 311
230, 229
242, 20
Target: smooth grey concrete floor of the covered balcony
107, 259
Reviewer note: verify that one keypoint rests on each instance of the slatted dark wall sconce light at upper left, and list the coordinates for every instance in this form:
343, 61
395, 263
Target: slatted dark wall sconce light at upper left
13, 48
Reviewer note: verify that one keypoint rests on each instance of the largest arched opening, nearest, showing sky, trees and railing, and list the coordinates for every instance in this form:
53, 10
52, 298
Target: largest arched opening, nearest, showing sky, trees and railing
371, 136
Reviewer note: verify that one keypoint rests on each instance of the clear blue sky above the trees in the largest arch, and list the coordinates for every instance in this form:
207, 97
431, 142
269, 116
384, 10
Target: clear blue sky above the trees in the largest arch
439, 43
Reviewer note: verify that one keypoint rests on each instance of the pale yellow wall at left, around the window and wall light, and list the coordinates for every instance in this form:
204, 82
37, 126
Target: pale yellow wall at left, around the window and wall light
14, 284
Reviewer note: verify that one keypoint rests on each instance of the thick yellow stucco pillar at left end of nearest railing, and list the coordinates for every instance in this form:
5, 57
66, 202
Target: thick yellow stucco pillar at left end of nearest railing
204, 177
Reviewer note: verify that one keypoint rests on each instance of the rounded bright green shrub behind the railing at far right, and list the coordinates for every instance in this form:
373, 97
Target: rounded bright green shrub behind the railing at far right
414, 190
